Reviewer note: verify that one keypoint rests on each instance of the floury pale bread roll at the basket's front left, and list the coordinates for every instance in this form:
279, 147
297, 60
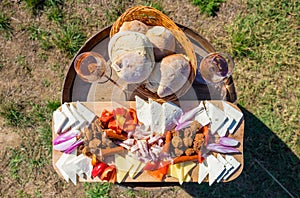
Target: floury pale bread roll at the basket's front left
133, 67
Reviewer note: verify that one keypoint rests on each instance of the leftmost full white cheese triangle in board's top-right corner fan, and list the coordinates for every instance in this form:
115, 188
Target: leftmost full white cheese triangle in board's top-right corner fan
216, 115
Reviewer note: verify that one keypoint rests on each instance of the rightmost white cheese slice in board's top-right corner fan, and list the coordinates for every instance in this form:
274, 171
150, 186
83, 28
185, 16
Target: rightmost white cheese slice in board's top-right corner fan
234, 114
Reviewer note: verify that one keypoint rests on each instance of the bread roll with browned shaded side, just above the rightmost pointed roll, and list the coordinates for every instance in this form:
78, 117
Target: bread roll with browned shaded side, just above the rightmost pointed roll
163, 41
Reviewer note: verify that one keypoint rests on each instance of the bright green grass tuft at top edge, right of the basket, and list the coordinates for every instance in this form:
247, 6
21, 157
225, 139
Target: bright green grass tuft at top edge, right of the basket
208, 7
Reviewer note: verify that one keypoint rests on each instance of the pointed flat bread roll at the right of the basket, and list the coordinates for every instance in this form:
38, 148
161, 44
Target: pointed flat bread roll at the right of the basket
175, 70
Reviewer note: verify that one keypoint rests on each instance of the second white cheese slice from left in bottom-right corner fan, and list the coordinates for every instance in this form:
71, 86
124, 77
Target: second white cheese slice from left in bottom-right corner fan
215, 168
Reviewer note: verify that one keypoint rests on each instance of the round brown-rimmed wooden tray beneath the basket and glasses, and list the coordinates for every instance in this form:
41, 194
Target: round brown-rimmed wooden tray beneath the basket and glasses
75, 89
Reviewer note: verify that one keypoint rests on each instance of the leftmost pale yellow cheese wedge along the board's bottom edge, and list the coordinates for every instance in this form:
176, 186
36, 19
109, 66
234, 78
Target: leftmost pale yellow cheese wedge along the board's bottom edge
123, 167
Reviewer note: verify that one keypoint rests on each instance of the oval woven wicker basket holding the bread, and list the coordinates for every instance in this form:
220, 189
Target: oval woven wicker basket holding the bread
152, 17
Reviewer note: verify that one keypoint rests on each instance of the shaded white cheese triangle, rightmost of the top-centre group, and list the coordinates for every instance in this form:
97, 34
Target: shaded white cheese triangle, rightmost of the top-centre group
171, 112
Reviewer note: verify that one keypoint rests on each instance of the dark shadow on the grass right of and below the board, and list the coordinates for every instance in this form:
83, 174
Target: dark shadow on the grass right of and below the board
271, 169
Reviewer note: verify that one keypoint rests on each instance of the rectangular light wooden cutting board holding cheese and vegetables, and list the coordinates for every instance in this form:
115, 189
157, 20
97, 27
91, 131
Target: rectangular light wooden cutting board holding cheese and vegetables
98, 107
